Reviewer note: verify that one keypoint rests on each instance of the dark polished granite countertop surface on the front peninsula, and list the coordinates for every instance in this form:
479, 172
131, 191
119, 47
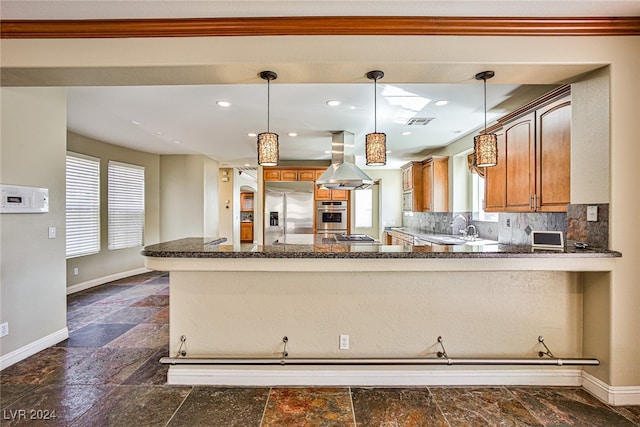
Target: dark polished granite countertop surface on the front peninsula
198, 247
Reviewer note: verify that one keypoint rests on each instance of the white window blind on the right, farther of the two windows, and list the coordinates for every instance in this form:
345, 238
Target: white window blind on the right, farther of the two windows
125, 205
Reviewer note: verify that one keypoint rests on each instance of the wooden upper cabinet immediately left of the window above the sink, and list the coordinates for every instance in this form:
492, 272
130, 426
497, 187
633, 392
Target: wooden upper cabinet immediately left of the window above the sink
435, 184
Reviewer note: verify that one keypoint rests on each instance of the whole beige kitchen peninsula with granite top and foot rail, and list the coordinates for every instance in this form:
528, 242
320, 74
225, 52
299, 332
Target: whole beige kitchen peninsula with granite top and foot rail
393, 301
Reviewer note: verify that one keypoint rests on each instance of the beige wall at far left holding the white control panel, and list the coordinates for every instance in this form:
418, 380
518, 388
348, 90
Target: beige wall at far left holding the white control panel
32, 266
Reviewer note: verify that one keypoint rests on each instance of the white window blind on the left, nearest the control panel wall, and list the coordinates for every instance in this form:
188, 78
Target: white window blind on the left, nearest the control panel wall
82, 205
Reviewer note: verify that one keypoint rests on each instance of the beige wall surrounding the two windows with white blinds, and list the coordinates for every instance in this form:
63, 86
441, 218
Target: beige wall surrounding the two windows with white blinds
95, 268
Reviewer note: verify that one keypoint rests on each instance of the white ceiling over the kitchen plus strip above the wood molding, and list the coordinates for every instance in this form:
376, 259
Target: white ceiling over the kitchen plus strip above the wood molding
188, 113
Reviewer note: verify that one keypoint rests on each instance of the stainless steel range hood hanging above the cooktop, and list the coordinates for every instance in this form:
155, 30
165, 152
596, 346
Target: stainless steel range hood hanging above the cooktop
343, 174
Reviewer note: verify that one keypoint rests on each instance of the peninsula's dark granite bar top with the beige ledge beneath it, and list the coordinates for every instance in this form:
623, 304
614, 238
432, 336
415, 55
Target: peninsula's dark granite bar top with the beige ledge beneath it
205, 253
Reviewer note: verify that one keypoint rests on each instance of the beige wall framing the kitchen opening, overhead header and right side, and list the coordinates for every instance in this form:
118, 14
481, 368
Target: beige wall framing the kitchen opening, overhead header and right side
528, 59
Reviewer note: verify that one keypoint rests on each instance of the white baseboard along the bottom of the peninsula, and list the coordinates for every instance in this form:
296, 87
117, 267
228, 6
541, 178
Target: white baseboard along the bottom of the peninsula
284, 376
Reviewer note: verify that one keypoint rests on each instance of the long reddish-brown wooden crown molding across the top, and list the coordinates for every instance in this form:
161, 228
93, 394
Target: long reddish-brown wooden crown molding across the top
319, 25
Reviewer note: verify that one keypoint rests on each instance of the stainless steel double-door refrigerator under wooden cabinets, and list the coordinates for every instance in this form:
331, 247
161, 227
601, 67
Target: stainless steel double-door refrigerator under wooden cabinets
288, 208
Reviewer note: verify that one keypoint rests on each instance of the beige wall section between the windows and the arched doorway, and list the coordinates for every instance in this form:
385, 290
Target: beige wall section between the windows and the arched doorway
188, 197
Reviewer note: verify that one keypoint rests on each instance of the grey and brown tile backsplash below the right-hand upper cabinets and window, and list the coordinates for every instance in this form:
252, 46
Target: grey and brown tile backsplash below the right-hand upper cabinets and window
515, 228
